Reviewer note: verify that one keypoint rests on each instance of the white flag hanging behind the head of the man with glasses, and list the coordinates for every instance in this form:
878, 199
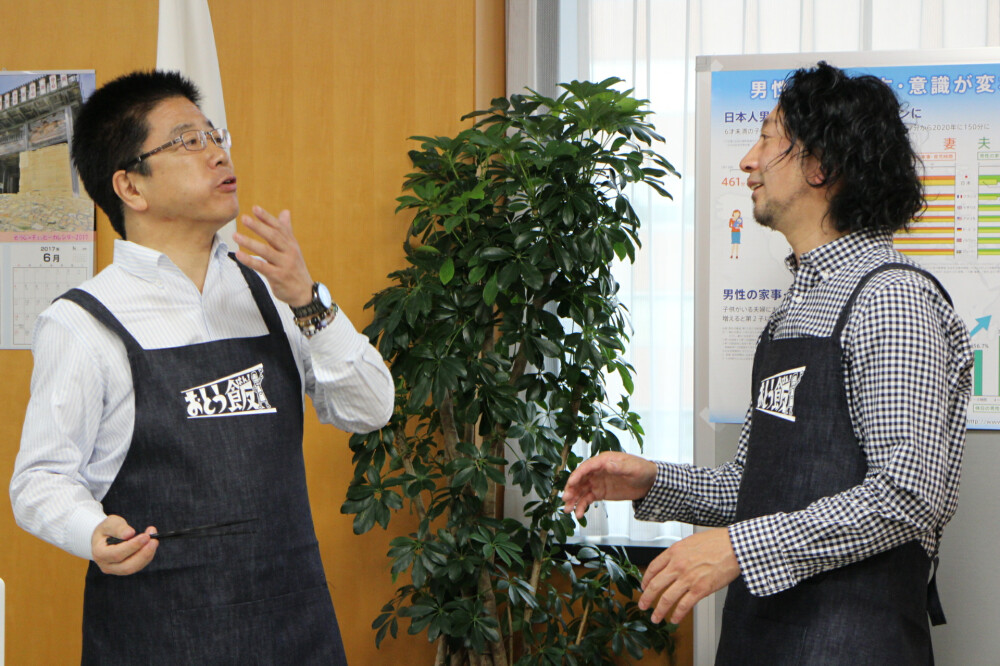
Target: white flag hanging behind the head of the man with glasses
186, 44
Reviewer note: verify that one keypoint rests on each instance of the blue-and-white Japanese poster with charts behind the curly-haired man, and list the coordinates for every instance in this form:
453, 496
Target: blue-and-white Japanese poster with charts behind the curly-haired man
952, 110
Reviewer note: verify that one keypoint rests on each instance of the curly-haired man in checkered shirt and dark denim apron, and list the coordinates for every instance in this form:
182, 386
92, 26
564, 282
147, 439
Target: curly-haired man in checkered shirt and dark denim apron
828, 520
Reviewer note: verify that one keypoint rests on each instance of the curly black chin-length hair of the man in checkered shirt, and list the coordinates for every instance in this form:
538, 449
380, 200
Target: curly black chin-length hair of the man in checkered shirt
852, 126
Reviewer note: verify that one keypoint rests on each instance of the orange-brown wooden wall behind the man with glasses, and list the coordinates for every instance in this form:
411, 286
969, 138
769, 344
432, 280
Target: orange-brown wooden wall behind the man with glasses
321, 98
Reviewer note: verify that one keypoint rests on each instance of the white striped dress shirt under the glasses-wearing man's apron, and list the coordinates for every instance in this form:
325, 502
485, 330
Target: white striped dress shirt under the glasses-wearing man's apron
79, 421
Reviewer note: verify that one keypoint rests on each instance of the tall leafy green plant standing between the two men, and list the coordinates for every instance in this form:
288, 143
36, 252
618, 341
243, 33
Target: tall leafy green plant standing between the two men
500, 332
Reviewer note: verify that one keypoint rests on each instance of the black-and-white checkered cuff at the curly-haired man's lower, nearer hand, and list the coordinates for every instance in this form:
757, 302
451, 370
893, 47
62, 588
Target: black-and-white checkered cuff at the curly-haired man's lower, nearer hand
760, 554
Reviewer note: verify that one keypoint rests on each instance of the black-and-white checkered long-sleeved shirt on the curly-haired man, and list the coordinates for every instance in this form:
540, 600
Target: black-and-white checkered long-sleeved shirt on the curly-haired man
906, 364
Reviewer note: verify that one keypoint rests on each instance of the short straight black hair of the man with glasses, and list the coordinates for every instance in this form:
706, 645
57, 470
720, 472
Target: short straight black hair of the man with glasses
111, 127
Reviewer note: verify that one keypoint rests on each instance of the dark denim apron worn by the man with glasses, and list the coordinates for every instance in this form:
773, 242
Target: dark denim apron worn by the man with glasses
218, 438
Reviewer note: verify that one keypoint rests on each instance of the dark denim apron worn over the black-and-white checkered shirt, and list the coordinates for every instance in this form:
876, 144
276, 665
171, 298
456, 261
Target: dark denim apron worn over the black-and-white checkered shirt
871, 612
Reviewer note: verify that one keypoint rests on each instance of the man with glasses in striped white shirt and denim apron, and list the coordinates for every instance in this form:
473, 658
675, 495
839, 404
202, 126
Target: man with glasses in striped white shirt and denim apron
163, 438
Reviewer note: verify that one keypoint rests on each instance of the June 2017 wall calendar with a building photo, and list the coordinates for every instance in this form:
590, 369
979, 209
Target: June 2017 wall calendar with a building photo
46, 218
